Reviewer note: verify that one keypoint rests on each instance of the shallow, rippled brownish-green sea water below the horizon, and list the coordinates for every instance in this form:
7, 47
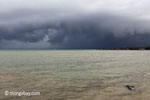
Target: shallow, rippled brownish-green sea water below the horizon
75, 74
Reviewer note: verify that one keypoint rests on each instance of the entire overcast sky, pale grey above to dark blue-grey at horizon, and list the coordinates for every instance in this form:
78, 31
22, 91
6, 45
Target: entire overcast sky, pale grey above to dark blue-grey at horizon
84, 24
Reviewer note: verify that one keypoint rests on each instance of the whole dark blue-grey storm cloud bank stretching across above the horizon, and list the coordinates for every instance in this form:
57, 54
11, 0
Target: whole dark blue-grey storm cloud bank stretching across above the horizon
83, 32
